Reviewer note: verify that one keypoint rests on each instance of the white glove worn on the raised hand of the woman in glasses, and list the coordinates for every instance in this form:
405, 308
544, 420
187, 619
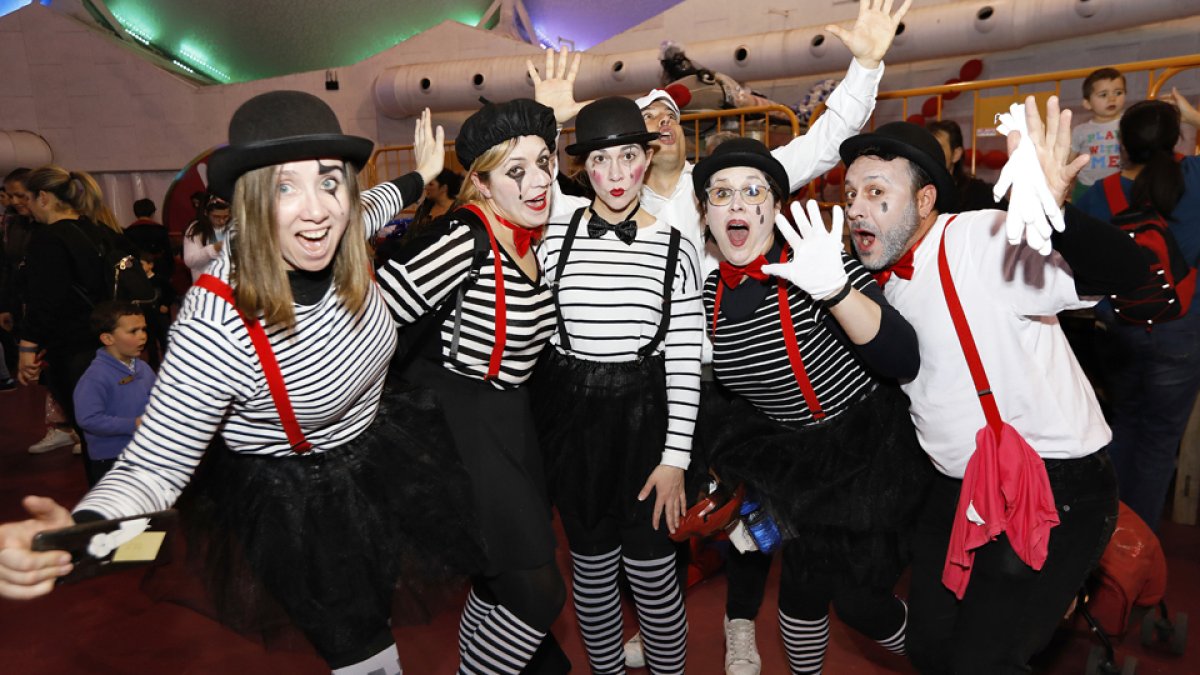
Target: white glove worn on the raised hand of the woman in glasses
815, 265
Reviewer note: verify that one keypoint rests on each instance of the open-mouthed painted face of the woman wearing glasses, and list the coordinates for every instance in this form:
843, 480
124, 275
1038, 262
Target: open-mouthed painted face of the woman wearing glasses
742, 231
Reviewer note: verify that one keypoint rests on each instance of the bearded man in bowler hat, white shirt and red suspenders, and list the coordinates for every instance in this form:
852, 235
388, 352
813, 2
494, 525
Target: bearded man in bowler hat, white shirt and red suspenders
897, 192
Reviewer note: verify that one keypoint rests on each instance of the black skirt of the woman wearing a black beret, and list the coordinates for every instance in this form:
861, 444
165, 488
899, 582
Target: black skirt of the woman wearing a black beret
495, 435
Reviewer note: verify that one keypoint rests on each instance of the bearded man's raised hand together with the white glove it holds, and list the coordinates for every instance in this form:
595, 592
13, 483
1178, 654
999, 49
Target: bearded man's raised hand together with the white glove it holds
1040, 171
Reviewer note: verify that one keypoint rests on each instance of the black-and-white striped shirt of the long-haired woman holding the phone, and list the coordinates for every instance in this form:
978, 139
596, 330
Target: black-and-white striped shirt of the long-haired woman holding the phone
212, 381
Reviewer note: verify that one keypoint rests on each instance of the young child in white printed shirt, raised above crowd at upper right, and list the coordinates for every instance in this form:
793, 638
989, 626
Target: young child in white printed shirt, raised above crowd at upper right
1105, 98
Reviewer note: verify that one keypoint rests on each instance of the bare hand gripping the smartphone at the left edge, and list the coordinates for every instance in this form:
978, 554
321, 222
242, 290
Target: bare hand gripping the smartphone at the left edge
26, 574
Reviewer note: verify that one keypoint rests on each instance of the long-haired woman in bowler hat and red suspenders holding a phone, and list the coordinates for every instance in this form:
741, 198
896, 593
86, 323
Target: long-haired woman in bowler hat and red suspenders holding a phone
279, 360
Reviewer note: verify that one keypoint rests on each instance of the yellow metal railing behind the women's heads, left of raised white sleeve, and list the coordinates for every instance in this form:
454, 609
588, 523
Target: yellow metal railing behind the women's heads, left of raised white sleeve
392, 162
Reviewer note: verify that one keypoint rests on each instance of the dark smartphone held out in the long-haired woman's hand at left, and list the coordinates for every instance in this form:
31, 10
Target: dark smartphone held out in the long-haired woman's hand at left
111, 546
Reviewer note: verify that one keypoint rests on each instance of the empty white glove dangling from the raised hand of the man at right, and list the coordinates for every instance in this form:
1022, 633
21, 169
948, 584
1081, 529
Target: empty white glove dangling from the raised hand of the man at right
1033, 210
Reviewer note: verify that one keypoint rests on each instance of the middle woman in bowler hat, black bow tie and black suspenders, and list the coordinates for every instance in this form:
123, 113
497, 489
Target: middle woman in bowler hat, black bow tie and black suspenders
617, 395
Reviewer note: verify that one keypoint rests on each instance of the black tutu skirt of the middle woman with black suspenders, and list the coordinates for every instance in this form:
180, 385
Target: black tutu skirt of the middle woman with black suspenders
602, 428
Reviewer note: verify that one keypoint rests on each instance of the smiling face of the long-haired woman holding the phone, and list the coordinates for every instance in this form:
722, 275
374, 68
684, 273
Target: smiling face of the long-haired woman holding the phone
311, 212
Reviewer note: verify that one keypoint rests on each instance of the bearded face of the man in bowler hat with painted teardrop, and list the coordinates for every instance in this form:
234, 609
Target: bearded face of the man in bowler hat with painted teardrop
881, 208
